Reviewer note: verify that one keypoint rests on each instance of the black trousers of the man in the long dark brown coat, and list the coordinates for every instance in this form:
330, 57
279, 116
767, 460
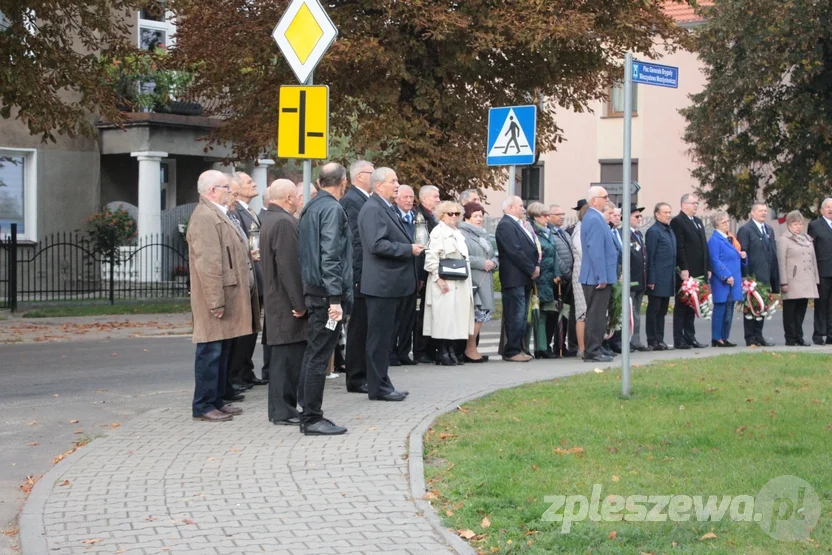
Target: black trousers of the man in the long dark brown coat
283, 387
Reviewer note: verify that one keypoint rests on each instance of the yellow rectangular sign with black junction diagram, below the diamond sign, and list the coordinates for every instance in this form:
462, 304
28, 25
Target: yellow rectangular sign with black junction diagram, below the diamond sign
303, 122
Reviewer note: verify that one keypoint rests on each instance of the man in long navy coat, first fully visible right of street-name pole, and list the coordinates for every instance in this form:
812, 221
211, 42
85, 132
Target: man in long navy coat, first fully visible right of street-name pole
661, 274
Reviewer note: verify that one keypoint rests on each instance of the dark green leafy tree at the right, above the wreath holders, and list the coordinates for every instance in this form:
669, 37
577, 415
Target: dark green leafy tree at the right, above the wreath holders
762, 127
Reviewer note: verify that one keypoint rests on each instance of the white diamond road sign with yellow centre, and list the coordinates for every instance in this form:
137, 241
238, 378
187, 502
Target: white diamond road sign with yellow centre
304, 34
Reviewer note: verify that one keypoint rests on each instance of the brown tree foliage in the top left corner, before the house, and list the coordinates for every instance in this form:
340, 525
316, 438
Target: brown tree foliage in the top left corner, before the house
52, 77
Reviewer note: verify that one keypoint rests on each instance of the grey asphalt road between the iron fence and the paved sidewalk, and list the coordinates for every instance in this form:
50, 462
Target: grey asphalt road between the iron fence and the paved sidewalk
102, 384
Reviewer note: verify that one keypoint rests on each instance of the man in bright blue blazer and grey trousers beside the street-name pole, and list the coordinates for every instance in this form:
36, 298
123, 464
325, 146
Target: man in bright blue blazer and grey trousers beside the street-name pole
599, 271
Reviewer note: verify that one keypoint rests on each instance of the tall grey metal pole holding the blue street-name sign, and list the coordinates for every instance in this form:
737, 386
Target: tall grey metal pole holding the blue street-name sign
625, 226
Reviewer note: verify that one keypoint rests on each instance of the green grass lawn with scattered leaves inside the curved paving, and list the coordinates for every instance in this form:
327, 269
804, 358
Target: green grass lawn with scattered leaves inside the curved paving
711, 426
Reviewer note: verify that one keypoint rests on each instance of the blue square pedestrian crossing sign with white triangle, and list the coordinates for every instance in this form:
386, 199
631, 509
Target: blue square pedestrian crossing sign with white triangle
511, 136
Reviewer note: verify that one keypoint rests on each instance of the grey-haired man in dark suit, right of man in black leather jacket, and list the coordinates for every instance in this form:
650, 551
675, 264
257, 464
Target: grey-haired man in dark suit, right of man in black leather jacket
388, 275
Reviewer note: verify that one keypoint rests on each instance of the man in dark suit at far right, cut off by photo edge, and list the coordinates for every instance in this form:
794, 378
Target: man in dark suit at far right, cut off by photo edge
820, 231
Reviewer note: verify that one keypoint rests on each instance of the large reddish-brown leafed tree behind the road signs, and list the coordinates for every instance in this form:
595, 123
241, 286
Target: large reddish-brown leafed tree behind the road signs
414, 80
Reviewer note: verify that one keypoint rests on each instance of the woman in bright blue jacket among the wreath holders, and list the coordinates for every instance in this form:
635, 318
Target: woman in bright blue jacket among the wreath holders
727, 260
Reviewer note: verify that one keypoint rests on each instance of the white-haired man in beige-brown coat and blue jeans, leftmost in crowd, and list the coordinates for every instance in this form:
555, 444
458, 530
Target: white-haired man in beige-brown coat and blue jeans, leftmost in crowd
221, 299
